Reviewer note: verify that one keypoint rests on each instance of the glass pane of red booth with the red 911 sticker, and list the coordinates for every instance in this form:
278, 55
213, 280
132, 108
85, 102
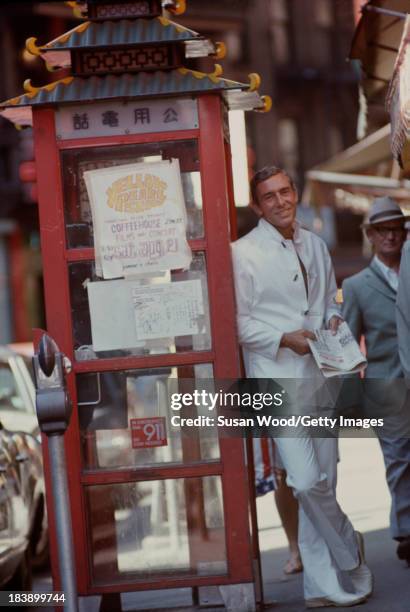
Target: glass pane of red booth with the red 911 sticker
107, 401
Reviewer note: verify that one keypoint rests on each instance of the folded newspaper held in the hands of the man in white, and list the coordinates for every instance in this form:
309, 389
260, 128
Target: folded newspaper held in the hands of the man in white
337, 354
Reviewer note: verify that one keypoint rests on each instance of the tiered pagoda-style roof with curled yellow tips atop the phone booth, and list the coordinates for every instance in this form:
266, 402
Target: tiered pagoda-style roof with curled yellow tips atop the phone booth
131, 57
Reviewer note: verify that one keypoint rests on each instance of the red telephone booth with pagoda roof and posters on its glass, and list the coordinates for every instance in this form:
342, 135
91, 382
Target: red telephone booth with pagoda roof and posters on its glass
149, 313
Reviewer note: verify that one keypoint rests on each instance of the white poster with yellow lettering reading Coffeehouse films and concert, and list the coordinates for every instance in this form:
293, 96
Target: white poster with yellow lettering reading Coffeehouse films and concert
139, 219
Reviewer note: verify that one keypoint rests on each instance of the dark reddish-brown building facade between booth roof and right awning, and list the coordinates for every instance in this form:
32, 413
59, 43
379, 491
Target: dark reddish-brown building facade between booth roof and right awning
300, 50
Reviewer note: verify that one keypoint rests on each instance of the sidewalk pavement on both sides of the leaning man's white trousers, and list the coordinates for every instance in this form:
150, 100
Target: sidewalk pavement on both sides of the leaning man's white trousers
364, 496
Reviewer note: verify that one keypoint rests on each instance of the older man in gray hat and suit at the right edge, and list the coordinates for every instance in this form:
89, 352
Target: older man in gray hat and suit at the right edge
369, 300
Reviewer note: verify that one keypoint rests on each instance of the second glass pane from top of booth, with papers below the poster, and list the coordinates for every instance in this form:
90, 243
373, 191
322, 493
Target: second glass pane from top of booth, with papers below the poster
115, 324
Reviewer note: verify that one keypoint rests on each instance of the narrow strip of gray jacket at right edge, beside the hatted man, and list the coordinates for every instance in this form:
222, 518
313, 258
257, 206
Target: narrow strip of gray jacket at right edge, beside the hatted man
403, 310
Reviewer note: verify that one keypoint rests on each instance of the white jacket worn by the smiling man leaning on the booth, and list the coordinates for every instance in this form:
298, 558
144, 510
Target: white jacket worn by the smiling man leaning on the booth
271, 298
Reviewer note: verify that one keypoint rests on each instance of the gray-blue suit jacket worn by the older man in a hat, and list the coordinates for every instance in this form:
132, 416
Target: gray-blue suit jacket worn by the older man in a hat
369, 307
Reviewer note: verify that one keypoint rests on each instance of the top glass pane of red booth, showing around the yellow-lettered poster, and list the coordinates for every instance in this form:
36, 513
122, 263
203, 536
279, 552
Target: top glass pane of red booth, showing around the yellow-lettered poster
79, 230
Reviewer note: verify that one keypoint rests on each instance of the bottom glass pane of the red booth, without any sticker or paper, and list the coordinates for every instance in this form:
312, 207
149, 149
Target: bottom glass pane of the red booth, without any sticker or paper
165, 527
